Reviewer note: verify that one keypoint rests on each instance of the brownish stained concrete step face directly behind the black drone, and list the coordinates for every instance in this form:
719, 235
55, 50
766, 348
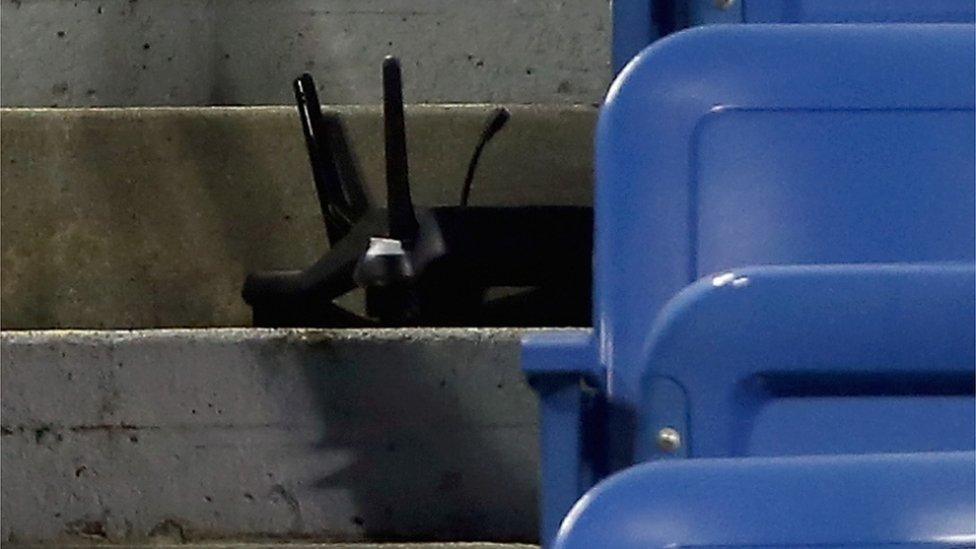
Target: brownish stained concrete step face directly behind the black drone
138, 218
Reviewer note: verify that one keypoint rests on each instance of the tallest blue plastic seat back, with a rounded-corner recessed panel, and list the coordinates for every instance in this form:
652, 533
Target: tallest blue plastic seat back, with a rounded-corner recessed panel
734, 145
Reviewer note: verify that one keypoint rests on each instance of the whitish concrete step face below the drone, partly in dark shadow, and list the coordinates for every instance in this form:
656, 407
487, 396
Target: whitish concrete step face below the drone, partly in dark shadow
172, 436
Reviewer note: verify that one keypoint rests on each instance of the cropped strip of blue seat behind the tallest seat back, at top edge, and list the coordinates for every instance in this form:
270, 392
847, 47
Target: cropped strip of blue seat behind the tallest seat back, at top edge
637, 23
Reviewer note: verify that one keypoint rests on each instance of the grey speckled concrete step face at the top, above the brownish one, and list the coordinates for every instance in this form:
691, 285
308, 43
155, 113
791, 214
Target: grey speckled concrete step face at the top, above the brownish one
229, 52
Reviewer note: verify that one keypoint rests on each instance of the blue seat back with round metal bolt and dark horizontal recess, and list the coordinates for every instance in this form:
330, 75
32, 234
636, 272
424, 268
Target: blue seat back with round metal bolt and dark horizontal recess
775, 361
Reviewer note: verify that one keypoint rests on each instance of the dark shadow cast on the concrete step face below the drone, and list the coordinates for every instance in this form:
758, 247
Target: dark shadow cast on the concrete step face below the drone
443, 447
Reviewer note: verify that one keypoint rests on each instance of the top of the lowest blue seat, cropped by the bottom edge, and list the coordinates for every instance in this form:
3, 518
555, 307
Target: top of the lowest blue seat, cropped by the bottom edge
826, 501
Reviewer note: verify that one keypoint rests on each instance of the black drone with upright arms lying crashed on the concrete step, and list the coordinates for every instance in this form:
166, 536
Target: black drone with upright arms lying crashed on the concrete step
425, 266
